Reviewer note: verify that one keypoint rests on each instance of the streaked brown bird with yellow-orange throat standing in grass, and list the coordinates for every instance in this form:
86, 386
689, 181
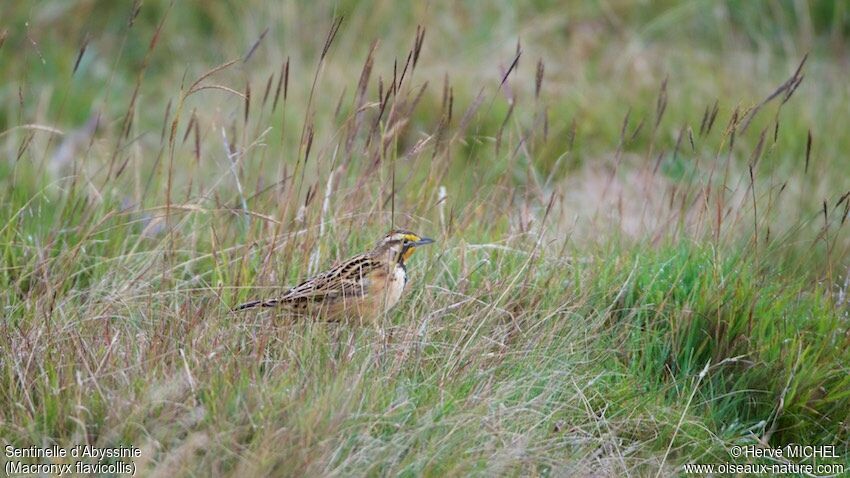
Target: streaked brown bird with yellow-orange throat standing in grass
360, 288
